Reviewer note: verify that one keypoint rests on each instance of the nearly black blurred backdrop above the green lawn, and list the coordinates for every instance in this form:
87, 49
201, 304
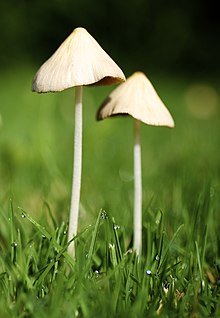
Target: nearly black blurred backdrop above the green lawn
168, 36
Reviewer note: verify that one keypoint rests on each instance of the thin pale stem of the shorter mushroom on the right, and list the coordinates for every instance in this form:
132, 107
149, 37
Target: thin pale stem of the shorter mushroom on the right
137, 189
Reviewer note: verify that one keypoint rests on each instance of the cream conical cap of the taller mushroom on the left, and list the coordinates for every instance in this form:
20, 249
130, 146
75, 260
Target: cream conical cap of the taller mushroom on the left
79, 60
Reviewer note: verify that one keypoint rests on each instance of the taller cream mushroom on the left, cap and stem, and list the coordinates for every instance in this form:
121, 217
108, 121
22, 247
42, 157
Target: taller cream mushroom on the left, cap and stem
77, 62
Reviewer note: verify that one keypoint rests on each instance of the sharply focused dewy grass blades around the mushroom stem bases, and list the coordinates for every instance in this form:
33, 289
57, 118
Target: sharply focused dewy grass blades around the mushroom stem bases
177, 276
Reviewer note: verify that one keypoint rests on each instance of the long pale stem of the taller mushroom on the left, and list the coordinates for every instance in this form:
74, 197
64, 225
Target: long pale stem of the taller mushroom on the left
77, 170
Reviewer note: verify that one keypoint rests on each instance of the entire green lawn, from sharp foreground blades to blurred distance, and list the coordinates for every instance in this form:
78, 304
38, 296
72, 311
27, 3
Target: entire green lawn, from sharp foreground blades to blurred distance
178, 273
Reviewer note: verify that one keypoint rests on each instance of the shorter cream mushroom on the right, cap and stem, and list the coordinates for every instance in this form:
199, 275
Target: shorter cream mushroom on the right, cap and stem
137, 98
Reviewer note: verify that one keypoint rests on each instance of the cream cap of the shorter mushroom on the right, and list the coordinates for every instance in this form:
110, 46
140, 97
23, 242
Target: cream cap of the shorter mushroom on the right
137, 98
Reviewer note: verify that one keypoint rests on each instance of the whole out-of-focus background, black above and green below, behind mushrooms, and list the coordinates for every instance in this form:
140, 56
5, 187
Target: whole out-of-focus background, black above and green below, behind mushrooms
175, 43
